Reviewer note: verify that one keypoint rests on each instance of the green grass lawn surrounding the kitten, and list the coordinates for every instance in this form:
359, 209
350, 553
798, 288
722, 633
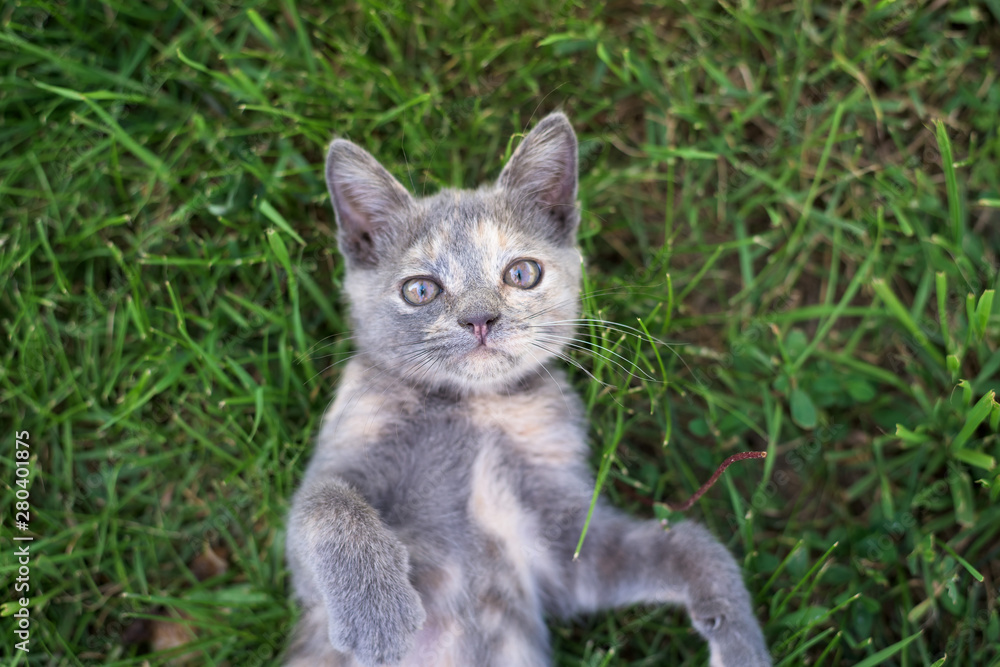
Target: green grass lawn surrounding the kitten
803, 197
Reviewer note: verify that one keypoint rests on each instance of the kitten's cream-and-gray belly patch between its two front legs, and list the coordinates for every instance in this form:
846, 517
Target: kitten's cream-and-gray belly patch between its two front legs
482, 596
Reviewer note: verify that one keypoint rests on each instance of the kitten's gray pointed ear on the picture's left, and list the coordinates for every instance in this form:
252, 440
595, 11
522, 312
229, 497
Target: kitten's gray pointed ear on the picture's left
368, 201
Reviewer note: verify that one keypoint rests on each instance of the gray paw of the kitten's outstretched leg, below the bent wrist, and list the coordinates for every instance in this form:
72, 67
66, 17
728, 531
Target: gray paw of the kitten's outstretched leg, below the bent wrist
733, 635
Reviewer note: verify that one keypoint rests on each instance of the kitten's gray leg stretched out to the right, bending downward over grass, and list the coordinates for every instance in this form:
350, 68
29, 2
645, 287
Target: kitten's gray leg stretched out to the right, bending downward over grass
624, 562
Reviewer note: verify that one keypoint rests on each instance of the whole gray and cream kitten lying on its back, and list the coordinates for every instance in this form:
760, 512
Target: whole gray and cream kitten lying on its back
437, 521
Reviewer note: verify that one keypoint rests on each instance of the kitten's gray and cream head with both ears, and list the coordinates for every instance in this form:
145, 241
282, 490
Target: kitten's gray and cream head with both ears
465, 290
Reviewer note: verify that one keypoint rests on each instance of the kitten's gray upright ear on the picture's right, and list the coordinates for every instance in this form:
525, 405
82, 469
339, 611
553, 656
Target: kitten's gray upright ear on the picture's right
543, 170
